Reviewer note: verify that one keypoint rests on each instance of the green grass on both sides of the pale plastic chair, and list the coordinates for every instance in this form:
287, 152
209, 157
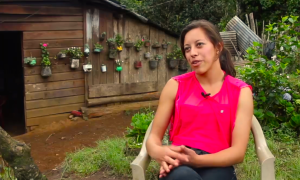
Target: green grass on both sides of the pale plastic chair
109, 155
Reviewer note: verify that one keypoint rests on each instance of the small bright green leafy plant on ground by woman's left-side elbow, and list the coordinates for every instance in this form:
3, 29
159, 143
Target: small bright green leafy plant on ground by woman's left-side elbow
140, 123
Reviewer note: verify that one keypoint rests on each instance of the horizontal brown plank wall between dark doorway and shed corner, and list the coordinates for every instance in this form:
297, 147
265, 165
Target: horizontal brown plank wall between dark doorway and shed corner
61, 27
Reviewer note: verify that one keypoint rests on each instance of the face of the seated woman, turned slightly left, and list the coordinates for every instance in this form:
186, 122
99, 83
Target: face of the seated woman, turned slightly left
199, 51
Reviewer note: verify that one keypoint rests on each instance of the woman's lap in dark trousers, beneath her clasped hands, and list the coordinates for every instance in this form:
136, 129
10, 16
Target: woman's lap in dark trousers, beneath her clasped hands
184, 172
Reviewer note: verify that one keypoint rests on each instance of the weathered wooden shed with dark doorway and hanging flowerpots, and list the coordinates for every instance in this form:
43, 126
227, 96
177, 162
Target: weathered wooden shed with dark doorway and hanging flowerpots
32, 100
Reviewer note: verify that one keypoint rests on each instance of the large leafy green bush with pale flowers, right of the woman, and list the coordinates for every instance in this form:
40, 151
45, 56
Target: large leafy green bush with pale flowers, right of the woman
274, 81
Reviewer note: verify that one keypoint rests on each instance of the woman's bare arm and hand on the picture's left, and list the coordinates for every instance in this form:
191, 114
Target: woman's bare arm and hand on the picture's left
160, 124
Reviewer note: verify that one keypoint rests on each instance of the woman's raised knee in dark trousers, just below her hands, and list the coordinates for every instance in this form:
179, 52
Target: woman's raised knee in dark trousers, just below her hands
182, 173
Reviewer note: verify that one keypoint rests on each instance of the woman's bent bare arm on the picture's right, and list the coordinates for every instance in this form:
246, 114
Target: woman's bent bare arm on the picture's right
235, 154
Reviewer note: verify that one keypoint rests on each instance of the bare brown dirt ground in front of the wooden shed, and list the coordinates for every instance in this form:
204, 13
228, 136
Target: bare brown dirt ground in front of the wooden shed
50, 144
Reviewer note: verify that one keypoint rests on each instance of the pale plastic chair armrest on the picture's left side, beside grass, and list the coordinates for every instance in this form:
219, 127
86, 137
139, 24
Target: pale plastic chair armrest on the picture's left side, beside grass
141, 162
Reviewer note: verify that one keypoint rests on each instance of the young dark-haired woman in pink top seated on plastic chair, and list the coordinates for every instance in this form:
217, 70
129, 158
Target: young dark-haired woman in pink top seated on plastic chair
209, 112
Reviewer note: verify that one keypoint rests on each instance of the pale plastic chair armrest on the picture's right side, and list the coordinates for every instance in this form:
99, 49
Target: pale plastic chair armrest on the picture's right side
266, 158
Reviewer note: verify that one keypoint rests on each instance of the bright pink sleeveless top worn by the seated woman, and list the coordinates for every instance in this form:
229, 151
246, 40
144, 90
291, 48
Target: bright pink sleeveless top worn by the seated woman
204, 123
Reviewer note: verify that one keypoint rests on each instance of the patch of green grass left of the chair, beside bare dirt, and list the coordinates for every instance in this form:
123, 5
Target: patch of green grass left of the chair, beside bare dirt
108, 155
